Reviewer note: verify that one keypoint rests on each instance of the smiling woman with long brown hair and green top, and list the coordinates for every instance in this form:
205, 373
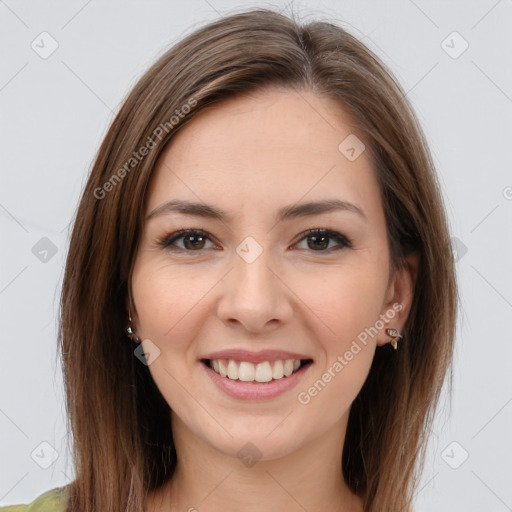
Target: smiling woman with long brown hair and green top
258, 308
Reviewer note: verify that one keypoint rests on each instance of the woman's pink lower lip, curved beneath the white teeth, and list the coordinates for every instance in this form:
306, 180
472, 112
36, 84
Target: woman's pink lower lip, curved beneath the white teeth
255, 390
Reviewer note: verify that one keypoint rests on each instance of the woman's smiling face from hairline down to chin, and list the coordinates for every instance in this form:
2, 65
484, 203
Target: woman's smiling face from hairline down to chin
251, 288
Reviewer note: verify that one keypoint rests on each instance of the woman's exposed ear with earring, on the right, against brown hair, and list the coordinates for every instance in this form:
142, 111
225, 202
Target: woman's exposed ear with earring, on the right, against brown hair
399, 297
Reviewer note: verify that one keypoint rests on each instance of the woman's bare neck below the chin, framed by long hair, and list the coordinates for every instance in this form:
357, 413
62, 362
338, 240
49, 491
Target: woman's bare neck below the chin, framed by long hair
208, 480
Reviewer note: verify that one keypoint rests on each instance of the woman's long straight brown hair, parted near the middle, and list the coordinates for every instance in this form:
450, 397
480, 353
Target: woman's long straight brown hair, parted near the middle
122, 442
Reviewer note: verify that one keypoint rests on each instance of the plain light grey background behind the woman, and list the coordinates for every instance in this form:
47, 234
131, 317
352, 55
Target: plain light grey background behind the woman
55, 111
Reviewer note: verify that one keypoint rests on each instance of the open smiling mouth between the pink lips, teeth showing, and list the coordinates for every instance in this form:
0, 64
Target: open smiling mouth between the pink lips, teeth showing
264, 372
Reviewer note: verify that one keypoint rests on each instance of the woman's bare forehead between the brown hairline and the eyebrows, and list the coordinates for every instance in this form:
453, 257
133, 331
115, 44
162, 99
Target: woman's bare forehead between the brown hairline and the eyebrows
253, 150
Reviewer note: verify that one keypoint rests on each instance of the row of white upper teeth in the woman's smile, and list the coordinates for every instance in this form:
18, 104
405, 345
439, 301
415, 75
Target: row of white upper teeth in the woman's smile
260, 372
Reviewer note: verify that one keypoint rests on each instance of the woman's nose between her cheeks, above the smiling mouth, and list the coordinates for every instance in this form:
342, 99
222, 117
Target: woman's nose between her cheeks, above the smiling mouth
255, 296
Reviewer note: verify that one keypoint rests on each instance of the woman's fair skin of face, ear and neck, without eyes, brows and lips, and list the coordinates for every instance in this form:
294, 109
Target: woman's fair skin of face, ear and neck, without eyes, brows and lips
250, 156
